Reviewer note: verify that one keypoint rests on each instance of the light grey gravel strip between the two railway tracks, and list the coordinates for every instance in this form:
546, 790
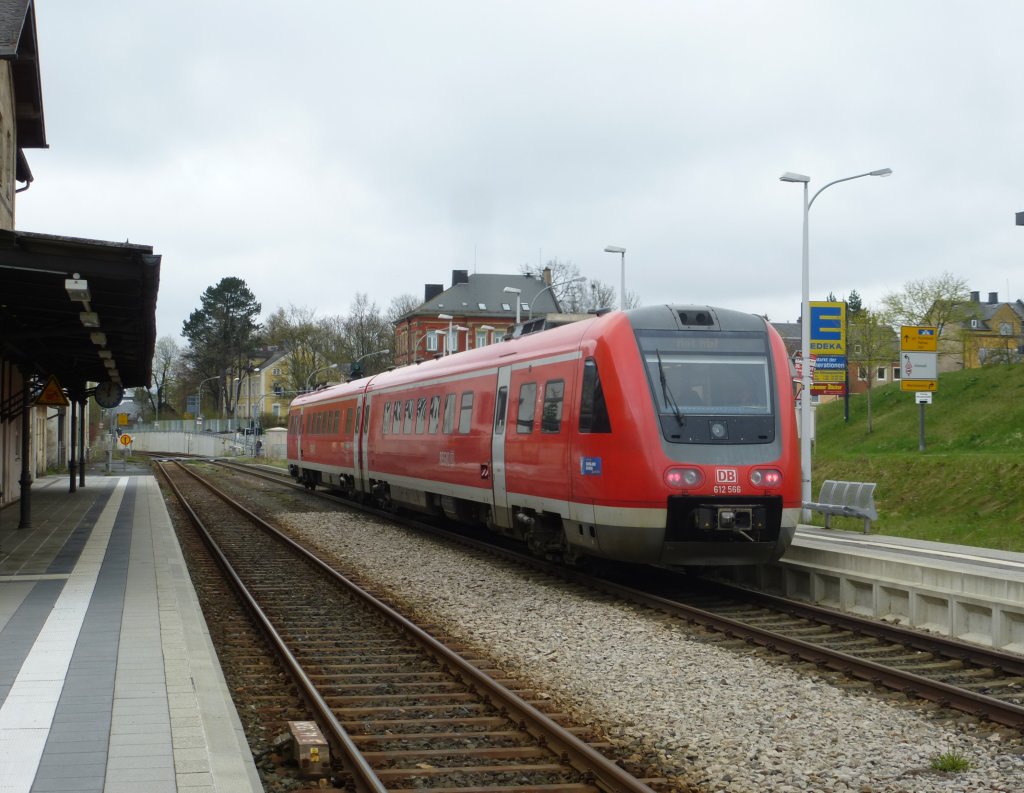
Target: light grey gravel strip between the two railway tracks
714, 720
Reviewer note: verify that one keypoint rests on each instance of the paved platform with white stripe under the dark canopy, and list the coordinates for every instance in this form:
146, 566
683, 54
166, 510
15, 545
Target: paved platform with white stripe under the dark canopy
109, 681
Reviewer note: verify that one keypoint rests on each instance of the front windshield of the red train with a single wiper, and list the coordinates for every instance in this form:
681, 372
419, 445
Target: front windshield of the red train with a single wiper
726, 375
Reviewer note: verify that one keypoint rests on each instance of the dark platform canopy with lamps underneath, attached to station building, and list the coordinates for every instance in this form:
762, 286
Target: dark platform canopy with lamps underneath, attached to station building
79, 310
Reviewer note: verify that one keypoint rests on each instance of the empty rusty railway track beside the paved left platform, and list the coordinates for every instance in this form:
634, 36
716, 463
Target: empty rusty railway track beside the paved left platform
401, 711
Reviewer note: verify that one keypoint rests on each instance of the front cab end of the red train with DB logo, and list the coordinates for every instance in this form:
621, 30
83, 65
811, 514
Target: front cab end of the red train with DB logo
688, 452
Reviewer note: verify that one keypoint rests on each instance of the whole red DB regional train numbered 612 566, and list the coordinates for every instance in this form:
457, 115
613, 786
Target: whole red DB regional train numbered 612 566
663, 436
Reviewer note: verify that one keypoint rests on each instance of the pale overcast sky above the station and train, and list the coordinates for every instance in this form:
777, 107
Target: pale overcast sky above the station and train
321, 149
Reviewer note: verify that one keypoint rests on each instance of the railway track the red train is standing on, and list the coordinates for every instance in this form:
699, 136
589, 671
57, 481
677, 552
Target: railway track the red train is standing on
971, 679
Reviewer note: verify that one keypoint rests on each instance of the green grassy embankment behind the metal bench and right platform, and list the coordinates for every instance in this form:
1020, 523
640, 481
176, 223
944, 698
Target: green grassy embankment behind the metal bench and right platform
968, 485
